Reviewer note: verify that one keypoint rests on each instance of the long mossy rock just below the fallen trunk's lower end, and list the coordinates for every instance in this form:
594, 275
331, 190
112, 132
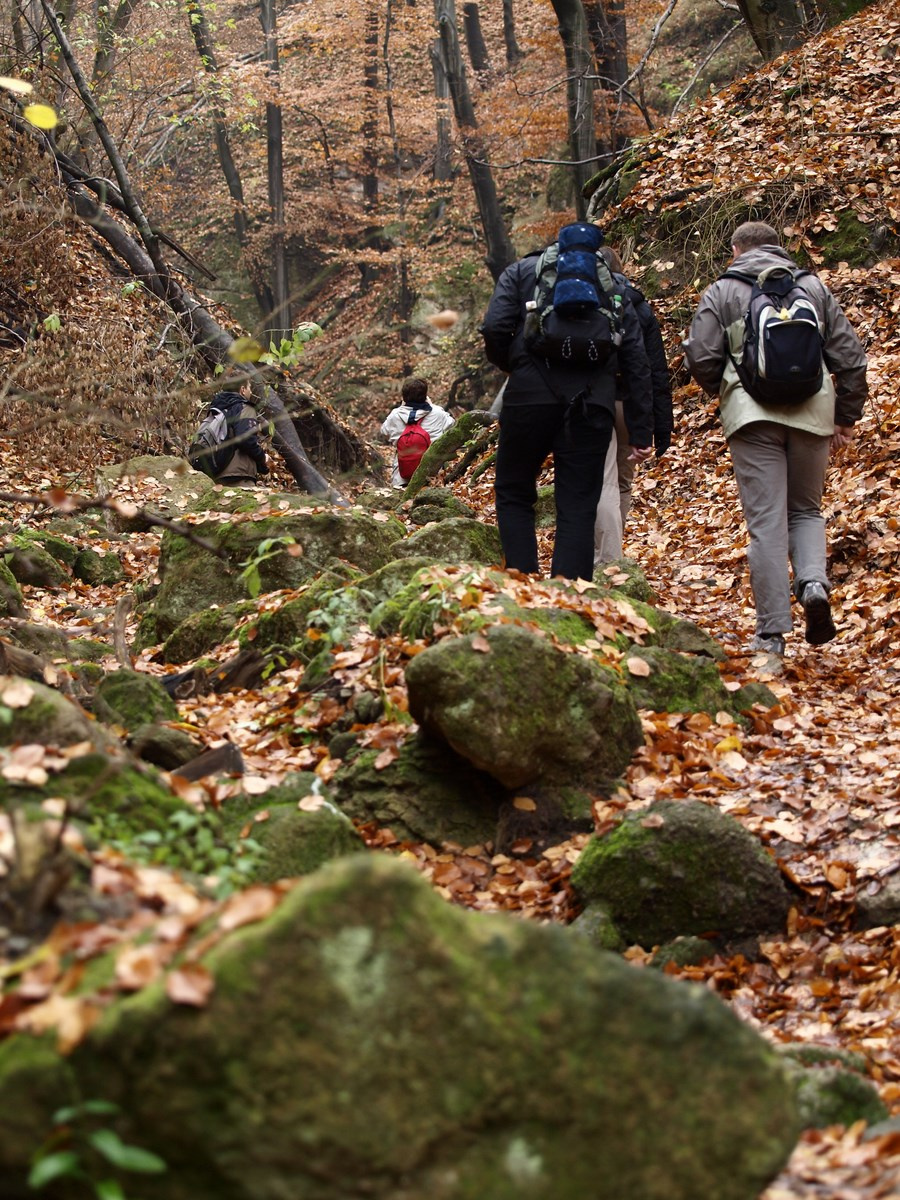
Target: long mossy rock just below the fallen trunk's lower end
261, 556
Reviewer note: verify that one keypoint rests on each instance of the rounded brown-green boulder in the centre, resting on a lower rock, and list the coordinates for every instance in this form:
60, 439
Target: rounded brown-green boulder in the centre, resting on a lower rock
523, 710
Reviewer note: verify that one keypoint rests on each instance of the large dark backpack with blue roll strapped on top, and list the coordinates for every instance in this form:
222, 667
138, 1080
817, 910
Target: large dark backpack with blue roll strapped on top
575, 319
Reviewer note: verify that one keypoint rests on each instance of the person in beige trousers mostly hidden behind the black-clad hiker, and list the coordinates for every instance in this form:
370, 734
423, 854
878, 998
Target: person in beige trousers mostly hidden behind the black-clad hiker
620, 473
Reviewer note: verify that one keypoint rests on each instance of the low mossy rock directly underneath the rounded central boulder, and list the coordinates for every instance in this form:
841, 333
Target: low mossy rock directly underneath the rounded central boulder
428, 794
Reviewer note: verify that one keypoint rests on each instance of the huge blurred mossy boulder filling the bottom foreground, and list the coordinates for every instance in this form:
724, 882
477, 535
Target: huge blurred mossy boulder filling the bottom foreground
367, 1039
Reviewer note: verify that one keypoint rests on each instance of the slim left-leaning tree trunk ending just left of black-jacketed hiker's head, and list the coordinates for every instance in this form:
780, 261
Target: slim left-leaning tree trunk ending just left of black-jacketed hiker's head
501, 251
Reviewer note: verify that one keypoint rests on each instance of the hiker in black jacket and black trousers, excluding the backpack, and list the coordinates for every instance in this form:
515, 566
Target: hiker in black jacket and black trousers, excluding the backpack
568, 412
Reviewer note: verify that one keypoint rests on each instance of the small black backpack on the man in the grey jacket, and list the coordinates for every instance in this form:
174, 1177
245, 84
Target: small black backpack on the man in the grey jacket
782, 355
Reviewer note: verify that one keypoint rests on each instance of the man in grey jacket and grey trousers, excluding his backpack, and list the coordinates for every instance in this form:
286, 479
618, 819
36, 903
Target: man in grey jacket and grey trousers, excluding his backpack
779, 454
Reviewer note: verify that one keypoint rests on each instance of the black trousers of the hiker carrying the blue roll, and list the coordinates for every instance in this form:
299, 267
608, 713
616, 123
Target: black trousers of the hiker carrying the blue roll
579, 439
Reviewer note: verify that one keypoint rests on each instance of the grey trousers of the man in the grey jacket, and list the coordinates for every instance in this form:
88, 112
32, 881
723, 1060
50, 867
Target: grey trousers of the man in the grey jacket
781, 475
